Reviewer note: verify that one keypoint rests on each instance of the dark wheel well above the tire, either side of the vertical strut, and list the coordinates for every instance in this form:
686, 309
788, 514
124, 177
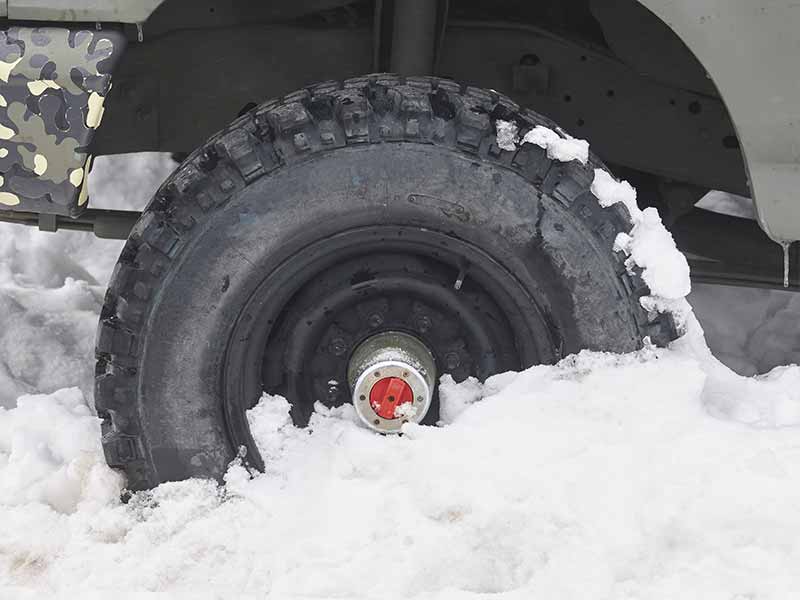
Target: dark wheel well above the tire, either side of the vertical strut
645, 104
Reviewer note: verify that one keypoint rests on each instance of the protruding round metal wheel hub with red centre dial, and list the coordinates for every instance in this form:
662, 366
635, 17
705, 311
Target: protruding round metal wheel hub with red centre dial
392, 376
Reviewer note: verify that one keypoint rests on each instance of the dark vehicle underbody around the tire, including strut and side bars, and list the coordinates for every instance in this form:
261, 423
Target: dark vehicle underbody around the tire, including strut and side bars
609, 72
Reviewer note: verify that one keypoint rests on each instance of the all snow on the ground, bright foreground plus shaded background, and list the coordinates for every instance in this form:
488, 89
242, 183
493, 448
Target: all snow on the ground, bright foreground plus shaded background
659, 474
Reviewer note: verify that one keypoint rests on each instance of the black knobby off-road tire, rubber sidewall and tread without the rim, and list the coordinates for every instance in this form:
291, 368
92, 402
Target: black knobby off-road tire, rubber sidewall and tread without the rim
196, 255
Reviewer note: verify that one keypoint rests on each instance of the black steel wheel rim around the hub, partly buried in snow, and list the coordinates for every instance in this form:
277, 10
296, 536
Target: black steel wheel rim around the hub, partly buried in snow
295, 335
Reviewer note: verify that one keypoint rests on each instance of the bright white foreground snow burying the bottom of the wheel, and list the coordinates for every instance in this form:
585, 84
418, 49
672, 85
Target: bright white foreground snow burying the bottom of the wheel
602, 476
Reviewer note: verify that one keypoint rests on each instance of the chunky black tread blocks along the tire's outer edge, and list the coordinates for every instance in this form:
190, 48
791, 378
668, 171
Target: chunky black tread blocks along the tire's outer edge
374, 109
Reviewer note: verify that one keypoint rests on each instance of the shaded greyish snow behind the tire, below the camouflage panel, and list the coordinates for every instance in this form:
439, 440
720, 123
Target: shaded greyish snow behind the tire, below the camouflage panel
52, 286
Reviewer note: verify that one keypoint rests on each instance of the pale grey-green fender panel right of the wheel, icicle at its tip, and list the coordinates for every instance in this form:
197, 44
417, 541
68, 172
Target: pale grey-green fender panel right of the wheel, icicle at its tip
750, 50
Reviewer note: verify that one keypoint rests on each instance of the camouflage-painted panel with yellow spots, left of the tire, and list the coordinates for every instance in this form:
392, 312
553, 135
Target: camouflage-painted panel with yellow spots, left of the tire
53, 82
